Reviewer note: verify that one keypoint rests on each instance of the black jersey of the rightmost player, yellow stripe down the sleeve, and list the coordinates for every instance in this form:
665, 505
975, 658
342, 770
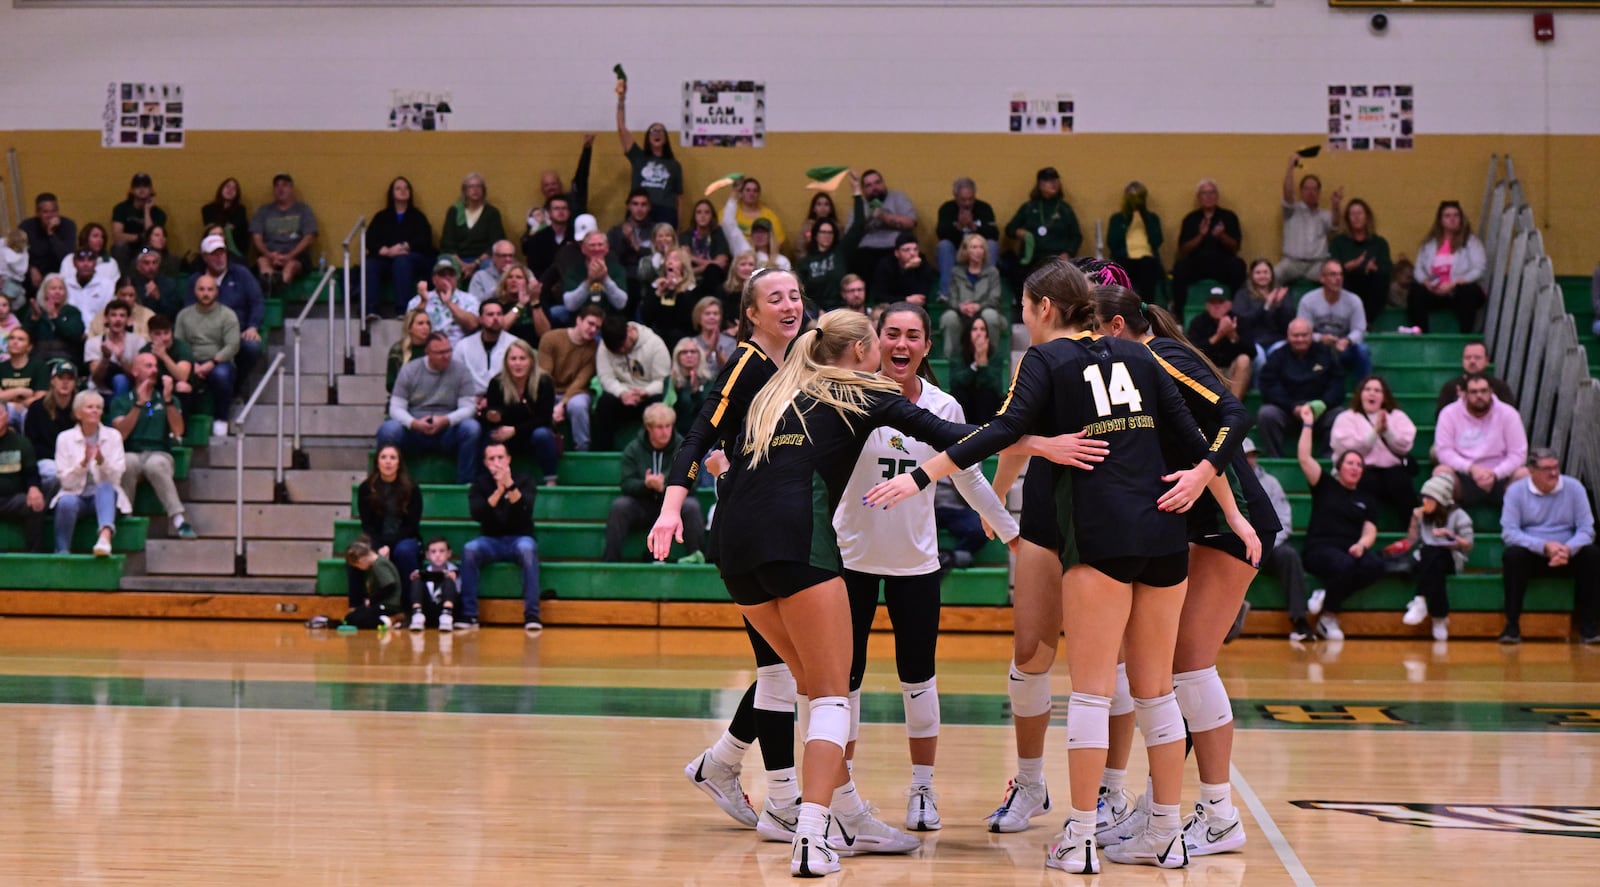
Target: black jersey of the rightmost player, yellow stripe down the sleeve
1223, 420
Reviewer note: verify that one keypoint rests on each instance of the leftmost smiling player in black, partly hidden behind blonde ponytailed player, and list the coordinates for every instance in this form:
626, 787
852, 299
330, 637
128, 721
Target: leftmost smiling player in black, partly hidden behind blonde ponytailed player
770, 316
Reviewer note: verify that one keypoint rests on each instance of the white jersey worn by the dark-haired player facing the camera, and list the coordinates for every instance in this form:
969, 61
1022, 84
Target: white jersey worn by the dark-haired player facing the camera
905, 542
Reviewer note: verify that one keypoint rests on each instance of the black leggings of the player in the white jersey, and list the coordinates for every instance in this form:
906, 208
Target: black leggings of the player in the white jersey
914, 612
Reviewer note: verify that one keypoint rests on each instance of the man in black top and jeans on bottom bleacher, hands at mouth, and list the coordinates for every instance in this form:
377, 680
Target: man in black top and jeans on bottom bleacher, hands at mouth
503, 505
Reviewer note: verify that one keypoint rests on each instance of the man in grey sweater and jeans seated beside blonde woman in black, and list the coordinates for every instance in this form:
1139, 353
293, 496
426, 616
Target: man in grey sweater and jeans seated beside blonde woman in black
431, 409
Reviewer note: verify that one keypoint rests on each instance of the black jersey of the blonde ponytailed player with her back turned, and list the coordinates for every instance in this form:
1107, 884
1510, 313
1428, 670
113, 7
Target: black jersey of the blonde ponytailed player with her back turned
783, 510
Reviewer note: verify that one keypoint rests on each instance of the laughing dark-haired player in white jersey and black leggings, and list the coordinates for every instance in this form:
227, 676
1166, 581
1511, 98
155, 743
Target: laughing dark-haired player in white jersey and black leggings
900, 553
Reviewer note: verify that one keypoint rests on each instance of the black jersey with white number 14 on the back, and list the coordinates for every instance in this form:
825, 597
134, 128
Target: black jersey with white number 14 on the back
1116, 391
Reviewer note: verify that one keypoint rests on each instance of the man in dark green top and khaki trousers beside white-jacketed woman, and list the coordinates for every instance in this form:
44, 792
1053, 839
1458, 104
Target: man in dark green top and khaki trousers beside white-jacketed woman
150, 420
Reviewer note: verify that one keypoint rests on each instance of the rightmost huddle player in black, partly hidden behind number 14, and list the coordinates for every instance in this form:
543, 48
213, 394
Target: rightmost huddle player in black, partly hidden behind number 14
1220, 572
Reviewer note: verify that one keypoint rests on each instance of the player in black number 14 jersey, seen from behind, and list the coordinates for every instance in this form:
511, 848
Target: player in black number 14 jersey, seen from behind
1124, 548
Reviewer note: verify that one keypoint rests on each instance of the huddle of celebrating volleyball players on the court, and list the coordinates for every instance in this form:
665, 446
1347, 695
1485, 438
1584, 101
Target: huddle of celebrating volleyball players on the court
1138, 537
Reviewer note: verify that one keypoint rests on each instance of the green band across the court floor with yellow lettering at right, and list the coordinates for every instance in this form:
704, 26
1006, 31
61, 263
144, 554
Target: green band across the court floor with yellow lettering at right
985, 710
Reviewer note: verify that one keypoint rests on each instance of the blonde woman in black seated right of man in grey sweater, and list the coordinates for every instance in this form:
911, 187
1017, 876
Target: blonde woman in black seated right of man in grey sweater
519, 407
